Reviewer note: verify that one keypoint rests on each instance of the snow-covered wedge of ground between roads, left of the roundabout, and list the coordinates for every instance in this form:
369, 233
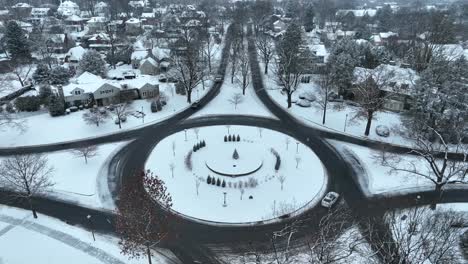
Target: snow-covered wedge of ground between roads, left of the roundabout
82, 183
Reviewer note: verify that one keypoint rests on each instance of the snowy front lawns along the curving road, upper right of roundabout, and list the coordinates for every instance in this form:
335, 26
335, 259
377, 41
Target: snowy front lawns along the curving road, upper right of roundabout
337, 114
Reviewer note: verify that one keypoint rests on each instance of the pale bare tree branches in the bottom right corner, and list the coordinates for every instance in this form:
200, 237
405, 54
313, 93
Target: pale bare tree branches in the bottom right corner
419, 235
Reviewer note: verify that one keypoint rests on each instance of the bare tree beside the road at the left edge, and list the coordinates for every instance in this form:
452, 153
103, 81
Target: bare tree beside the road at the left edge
27, 176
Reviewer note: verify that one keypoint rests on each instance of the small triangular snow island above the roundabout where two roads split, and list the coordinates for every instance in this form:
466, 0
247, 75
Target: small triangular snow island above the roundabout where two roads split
220, 105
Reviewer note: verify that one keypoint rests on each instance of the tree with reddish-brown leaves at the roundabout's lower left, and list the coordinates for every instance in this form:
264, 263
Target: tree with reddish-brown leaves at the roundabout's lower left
138, 223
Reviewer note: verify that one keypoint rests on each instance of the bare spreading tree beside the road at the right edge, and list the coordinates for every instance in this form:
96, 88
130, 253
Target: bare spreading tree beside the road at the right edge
439, 168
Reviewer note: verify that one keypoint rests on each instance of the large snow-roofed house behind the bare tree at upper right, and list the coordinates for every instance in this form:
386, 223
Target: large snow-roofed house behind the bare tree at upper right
395, 83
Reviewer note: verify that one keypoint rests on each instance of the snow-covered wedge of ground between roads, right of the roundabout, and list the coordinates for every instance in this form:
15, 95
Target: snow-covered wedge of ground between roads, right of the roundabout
376, 179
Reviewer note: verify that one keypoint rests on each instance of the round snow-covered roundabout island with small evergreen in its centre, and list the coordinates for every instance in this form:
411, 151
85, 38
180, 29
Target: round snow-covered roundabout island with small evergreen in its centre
238, 174
